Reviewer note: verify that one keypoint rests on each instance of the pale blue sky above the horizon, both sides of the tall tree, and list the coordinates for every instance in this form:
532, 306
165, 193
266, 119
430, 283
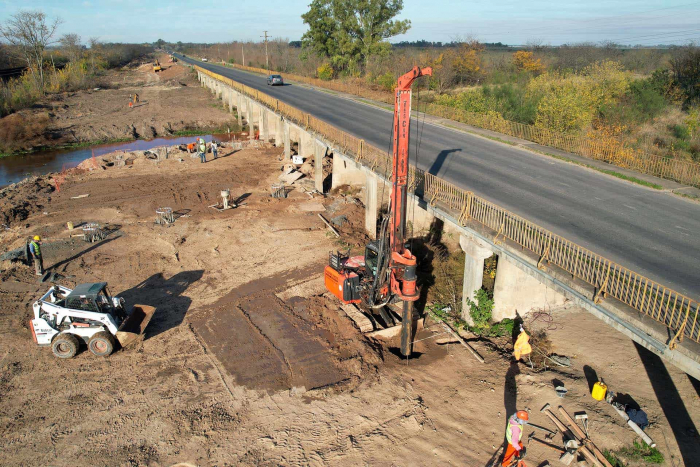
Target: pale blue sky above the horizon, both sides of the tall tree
552, 22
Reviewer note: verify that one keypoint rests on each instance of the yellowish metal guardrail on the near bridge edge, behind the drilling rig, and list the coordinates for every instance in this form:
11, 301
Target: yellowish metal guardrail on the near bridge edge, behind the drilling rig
676, 311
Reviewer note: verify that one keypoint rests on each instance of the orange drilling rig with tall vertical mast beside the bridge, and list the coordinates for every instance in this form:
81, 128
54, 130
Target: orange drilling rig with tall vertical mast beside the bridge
387, 271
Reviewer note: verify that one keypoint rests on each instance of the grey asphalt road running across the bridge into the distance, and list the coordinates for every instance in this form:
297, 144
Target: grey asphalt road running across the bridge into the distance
649, 232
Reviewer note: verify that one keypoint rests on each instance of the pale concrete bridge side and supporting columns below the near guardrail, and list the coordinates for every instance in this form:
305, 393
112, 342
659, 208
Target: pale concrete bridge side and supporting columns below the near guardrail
523, 282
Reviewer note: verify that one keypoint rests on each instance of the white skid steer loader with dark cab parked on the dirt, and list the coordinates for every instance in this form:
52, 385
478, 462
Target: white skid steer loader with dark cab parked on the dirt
63, 317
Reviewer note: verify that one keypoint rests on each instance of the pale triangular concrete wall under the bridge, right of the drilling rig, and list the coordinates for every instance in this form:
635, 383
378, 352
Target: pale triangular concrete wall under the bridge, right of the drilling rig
517, 293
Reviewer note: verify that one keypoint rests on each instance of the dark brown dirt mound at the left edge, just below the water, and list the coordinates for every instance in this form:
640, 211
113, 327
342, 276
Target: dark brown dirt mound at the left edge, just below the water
21, 199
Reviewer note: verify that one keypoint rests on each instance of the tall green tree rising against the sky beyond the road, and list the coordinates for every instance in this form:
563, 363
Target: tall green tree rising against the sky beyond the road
348, 32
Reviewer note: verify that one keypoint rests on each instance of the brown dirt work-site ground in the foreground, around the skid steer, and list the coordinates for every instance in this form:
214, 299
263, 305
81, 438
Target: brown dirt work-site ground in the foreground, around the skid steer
247, 362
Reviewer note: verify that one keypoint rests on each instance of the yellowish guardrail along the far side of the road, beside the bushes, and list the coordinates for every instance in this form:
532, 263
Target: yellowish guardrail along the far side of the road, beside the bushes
609, 149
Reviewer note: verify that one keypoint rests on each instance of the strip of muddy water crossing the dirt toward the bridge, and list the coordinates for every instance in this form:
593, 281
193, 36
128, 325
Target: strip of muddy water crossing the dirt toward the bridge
15, 168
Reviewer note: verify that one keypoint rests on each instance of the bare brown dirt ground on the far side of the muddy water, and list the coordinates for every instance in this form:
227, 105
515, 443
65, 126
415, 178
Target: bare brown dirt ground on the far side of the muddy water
170, 101
